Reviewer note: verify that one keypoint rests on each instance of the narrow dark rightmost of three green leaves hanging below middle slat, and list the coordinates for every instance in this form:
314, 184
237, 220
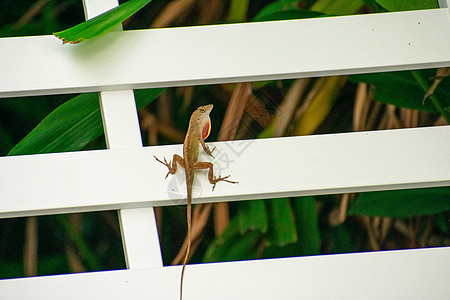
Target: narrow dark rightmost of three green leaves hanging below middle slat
307, 226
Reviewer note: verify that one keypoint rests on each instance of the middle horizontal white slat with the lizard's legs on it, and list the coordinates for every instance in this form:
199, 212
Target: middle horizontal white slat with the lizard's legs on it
321, 164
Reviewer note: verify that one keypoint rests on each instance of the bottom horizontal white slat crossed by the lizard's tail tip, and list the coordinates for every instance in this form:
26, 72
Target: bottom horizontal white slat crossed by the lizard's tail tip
407, 274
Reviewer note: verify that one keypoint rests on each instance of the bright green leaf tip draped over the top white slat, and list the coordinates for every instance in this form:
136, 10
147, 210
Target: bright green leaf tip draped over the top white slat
101, 24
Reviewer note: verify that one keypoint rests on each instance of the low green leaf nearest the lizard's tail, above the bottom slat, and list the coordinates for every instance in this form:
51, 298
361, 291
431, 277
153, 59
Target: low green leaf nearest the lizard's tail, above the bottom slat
231, 245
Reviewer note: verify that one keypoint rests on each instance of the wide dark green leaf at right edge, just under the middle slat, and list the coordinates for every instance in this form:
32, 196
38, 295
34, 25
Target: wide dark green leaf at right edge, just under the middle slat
402, 203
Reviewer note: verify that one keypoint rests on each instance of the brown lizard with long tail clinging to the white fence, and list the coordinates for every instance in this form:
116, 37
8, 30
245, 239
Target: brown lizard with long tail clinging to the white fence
198, 131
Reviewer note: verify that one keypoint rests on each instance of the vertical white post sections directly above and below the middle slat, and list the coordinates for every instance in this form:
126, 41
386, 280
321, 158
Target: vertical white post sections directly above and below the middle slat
138, 226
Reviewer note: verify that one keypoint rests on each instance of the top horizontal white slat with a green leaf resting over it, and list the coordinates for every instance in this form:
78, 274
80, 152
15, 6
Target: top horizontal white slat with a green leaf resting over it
226, 53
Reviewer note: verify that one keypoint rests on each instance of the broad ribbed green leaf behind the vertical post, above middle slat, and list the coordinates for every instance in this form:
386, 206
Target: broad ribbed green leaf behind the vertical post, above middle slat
72, 125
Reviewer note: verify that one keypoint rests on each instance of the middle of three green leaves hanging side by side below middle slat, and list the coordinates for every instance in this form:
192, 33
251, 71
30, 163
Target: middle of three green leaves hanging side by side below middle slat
282, 229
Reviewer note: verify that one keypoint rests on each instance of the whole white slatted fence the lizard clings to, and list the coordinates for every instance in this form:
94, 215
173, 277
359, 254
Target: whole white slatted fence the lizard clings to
126, 177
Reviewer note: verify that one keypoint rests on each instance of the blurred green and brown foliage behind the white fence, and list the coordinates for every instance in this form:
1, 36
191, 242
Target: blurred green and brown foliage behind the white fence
256, 229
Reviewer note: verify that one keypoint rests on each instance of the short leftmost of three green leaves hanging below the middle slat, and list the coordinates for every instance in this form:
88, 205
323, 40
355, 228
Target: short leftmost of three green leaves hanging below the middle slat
253, 216
